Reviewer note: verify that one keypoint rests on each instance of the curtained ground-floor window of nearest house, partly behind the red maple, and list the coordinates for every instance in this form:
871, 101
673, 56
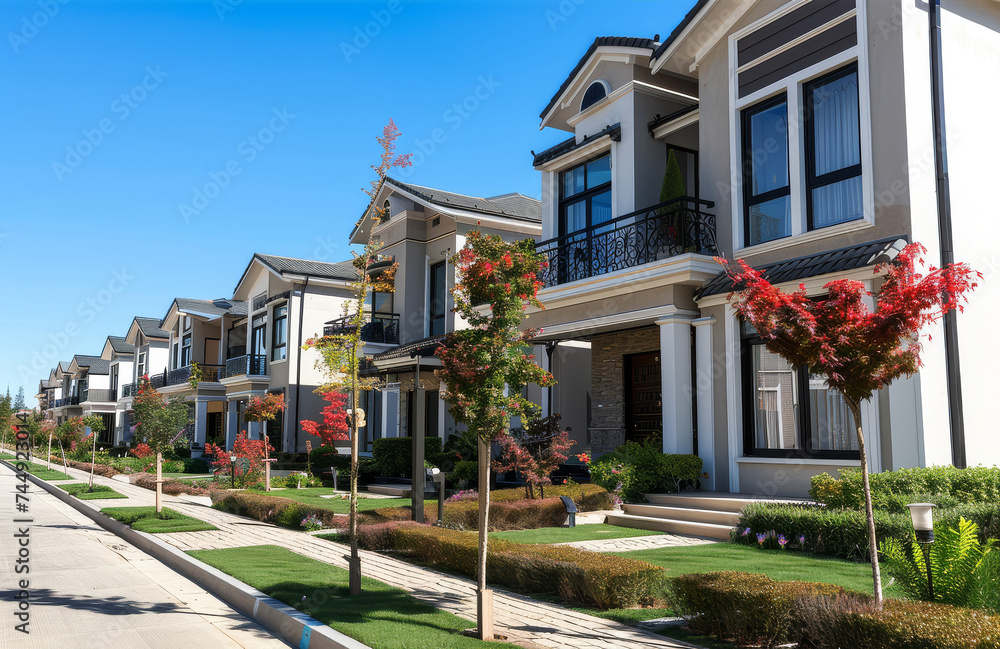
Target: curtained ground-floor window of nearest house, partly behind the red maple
790, 411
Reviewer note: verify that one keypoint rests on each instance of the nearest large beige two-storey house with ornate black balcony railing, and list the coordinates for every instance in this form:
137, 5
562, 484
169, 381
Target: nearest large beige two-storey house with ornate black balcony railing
803, 133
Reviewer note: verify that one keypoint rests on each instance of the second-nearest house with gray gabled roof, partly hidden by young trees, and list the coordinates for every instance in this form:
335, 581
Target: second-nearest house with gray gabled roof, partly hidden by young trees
420, 228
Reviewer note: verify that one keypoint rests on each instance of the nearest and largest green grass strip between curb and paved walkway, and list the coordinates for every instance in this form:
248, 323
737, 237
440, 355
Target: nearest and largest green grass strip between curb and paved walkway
381, 616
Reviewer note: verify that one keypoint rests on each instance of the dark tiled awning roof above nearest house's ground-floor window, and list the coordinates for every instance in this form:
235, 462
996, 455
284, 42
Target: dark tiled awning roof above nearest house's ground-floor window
832, 261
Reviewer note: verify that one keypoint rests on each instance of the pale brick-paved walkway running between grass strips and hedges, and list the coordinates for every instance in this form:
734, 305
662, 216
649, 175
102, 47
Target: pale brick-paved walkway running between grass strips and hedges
525, 621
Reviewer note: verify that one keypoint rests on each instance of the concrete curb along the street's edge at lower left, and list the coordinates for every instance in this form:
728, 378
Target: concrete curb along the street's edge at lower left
292, 626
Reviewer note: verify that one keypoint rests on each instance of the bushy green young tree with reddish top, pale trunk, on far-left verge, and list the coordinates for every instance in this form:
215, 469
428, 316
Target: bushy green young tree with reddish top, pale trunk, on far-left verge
159, 424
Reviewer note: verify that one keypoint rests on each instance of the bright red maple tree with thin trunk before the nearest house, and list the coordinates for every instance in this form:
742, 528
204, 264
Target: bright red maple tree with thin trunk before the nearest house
858, 351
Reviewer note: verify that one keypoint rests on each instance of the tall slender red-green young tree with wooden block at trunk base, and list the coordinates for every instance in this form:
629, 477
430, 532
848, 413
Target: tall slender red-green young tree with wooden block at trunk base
485, 367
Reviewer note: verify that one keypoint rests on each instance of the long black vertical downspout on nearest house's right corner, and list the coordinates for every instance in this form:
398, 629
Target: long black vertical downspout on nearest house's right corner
952, 364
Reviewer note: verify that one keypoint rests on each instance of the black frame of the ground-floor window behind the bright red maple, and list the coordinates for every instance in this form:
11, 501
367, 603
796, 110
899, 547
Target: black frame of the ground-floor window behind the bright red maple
802, 417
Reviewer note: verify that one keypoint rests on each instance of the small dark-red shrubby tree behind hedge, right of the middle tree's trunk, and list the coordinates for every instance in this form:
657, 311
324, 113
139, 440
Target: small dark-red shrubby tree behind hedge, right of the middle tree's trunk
534, 451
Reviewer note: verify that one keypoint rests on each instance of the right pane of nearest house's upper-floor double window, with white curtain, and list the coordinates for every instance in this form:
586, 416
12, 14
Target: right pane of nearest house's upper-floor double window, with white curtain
833, 148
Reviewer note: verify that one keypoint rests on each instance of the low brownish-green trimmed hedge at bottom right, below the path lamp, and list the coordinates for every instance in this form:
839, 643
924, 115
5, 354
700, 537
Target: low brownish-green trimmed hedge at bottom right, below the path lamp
752, 609
